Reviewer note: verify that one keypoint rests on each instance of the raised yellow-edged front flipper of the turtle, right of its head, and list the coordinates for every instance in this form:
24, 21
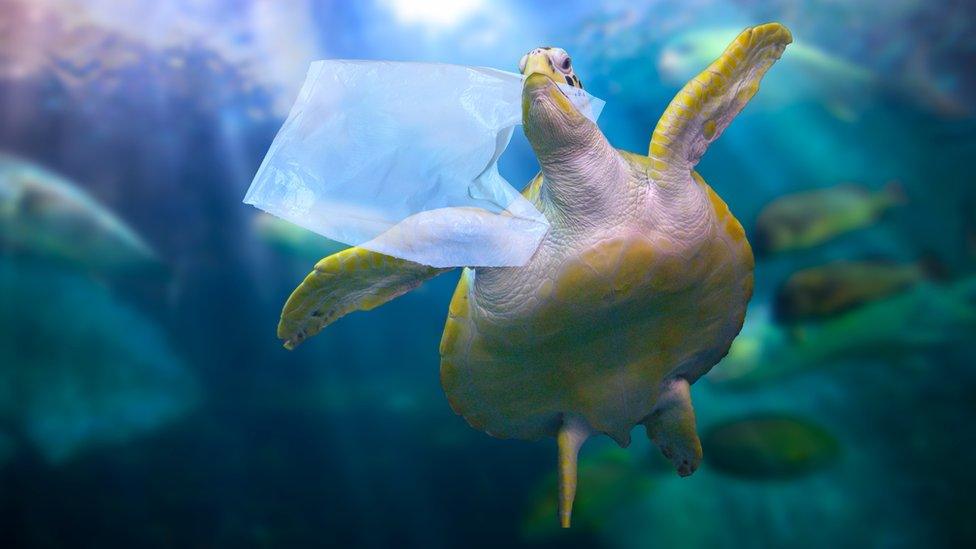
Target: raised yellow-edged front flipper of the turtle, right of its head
707, 104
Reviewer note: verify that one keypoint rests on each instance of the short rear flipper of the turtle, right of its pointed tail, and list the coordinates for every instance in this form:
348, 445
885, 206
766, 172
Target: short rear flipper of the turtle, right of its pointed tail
672, 427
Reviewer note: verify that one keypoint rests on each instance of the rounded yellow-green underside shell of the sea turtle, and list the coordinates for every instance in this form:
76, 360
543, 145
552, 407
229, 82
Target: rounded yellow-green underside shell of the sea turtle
599, 328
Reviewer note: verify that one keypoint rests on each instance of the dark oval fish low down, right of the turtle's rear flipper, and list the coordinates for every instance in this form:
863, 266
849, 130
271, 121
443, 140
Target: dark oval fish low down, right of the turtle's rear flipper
768, 446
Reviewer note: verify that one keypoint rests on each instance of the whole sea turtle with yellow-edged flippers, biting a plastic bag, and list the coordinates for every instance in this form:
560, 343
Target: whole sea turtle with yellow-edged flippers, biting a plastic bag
636, 291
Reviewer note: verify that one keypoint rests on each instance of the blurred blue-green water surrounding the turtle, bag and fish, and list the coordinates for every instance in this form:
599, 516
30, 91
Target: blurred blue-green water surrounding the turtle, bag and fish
157, 408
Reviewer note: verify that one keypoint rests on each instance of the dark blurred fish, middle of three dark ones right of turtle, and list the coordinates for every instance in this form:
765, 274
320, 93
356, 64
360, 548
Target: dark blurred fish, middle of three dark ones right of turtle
828, 290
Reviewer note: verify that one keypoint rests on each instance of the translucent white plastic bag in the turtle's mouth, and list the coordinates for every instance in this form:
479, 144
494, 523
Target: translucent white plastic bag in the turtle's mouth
401, 158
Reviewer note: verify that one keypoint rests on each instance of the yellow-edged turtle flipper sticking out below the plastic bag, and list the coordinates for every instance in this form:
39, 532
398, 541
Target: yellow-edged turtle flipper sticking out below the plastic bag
355, 279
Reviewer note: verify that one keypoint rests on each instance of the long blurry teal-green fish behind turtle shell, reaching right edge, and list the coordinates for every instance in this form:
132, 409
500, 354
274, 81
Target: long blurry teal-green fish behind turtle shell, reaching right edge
927, 318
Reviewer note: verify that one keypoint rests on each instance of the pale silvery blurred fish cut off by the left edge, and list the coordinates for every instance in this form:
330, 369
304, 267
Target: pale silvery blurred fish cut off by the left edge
44, 215
